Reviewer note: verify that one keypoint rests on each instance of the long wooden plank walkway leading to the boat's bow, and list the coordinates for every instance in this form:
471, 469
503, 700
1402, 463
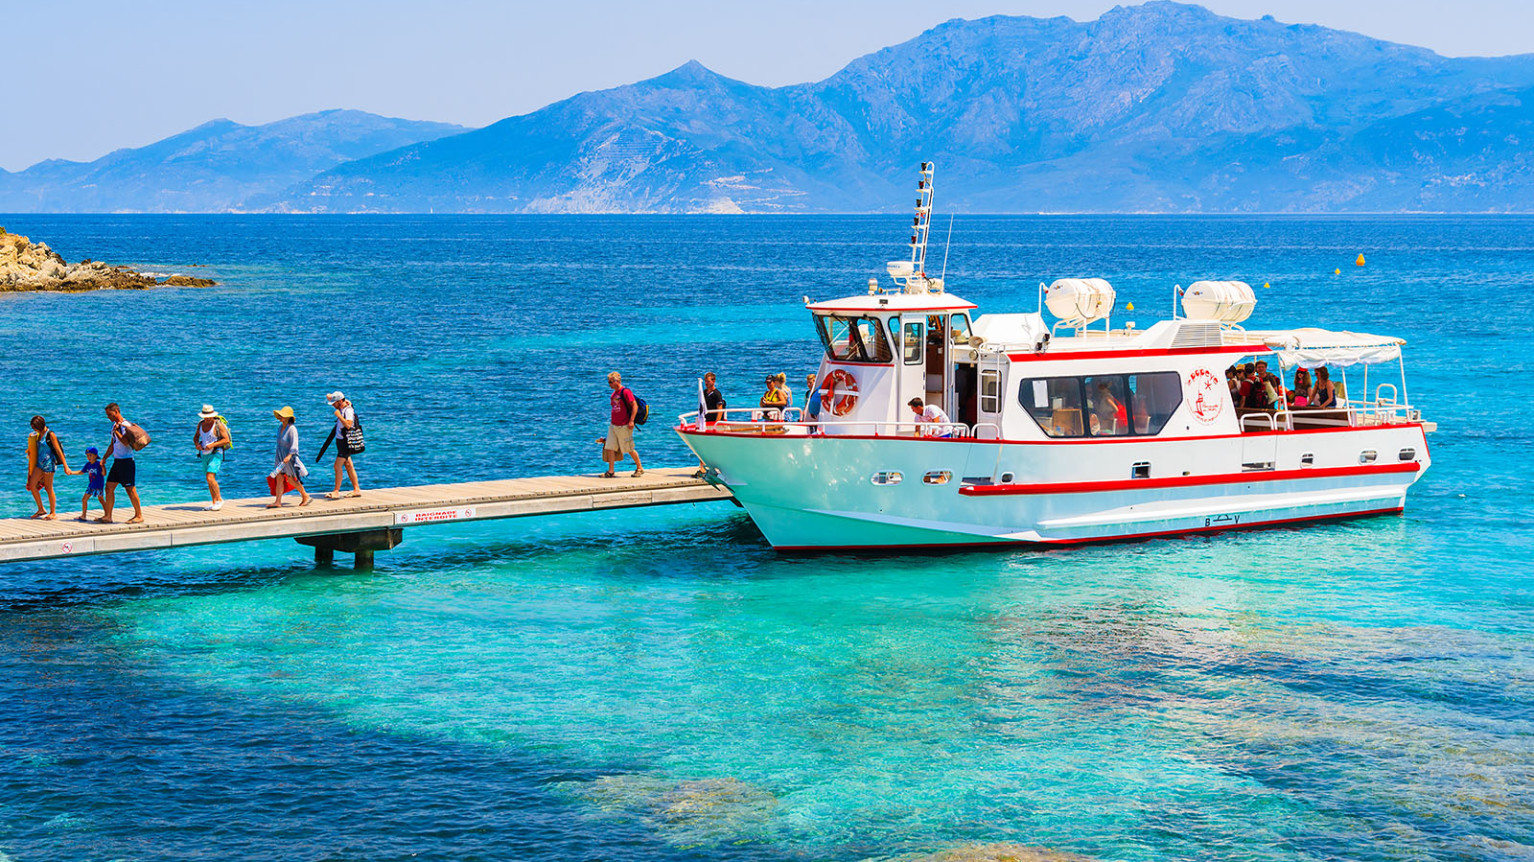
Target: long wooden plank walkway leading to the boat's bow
377, 512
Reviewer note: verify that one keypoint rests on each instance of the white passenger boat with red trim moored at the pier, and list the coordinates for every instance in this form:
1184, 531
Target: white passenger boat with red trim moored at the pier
1062, 432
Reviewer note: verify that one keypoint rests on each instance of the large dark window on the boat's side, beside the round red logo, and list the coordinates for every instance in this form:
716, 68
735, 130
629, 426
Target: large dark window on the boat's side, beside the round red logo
1104, 406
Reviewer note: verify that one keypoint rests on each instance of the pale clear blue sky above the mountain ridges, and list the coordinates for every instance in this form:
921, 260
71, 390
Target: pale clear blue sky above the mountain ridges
88, 77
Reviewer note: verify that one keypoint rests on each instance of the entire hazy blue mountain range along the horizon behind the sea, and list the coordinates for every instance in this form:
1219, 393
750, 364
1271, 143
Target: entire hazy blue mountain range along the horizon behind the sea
1154, 108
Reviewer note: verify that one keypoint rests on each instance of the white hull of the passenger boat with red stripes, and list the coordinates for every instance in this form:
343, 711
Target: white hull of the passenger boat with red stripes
820, 493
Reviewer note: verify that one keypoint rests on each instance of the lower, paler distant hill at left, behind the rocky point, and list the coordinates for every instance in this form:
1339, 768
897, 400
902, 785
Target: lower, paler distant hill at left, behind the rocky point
219, 166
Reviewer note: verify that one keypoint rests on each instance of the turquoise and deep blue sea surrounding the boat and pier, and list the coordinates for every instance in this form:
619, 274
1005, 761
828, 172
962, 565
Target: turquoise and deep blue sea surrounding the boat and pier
659, 683
